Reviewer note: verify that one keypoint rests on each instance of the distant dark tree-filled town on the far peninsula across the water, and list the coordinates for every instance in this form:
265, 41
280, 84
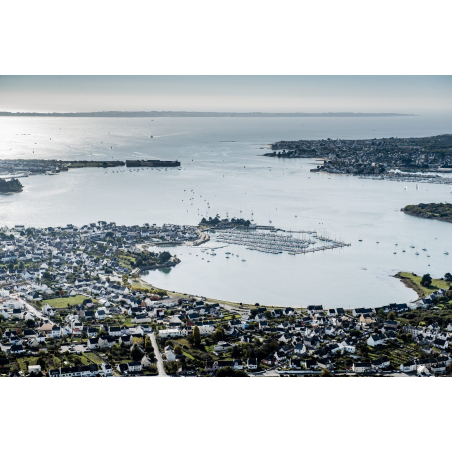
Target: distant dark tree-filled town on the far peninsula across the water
373, 157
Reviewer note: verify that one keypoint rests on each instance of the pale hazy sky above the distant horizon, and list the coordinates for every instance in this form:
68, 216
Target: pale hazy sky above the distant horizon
276, 93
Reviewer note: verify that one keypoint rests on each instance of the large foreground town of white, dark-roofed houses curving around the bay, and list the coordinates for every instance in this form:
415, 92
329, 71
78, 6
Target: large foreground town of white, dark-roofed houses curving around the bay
72, 304
